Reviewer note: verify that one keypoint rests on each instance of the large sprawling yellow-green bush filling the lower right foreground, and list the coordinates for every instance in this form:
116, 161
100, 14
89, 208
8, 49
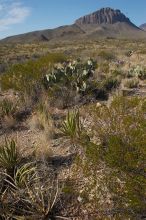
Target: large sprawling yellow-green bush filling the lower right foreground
114, 164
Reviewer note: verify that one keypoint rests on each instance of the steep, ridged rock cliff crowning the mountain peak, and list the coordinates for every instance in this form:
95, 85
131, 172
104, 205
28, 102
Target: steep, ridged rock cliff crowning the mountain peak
103, 16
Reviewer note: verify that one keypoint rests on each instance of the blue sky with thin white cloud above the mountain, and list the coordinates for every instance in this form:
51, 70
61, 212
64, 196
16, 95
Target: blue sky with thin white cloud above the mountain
20, 16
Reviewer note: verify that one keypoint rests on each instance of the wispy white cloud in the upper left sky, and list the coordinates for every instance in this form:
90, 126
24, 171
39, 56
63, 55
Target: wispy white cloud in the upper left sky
12, 12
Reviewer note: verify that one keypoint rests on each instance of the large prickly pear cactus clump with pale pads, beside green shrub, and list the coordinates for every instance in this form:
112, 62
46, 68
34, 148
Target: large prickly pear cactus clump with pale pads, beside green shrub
72, 73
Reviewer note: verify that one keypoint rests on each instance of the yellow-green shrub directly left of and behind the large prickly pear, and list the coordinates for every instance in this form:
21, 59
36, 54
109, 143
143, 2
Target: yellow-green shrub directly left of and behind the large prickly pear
23, 77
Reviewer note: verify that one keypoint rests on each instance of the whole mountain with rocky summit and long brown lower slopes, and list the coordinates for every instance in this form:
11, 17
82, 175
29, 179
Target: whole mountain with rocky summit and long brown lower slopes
103, 23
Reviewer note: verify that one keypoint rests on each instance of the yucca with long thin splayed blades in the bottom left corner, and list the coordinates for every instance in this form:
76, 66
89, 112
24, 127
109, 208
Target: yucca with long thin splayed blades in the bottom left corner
34, 201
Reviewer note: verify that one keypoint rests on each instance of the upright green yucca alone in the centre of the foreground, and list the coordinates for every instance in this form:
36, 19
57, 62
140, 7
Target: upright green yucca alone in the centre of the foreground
72, 127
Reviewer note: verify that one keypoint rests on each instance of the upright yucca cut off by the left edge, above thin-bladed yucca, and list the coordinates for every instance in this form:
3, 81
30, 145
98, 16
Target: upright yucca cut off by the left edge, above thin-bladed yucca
9, 156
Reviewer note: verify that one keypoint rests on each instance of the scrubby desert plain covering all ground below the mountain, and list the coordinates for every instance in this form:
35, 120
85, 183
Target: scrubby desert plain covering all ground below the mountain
79, 149
